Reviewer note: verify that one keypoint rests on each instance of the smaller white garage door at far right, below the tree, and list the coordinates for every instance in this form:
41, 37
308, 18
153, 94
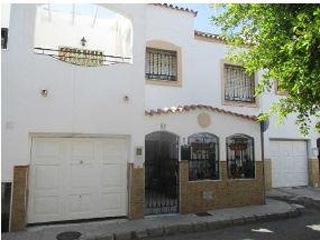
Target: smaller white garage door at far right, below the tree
289, 163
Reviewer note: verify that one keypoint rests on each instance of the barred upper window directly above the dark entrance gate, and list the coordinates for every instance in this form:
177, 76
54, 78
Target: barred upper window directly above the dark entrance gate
161, 64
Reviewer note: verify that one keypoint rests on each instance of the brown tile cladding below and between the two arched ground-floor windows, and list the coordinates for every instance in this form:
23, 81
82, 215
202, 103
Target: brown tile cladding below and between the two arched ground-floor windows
225, 192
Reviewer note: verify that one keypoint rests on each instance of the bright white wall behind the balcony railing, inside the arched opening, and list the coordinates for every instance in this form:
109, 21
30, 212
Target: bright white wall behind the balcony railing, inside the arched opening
53, 29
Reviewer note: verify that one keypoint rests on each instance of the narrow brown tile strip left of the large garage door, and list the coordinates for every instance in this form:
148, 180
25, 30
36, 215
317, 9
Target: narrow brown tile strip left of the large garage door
19, 198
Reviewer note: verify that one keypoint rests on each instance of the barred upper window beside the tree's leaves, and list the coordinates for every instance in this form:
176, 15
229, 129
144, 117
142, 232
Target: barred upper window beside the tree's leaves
238, 85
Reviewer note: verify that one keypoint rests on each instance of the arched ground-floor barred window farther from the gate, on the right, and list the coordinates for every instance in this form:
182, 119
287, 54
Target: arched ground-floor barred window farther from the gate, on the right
240, 156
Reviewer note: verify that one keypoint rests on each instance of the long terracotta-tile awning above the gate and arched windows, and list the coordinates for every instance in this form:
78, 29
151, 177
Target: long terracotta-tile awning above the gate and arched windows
187, 108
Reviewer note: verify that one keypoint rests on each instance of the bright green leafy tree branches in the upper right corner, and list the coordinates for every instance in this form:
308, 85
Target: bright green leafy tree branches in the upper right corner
284, 41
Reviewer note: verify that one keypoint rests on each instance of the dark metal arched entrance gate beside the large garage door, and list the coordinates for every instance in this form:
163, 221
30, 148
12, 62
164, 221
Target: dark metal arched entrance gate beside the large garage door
161, 173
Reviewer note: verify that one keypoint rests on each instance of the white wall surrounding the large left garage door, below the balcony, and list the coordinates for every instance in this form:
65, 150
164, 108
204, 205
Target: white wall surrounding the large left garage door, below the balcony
80, 100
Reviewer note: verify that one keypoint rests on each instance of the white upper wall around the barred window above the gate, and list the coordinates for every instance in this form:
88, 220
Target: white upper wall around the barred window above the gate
175, 27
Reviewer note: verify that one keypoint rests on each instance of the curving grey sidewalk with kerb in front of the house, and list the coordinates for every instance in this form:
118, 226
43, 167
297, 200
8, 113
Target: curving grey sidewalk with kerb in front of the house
123, 229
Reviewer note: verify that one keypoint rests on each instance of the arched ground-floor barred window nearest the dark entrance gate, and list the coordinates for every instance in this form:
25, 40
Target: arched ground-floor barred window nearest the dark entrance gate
204, 158
